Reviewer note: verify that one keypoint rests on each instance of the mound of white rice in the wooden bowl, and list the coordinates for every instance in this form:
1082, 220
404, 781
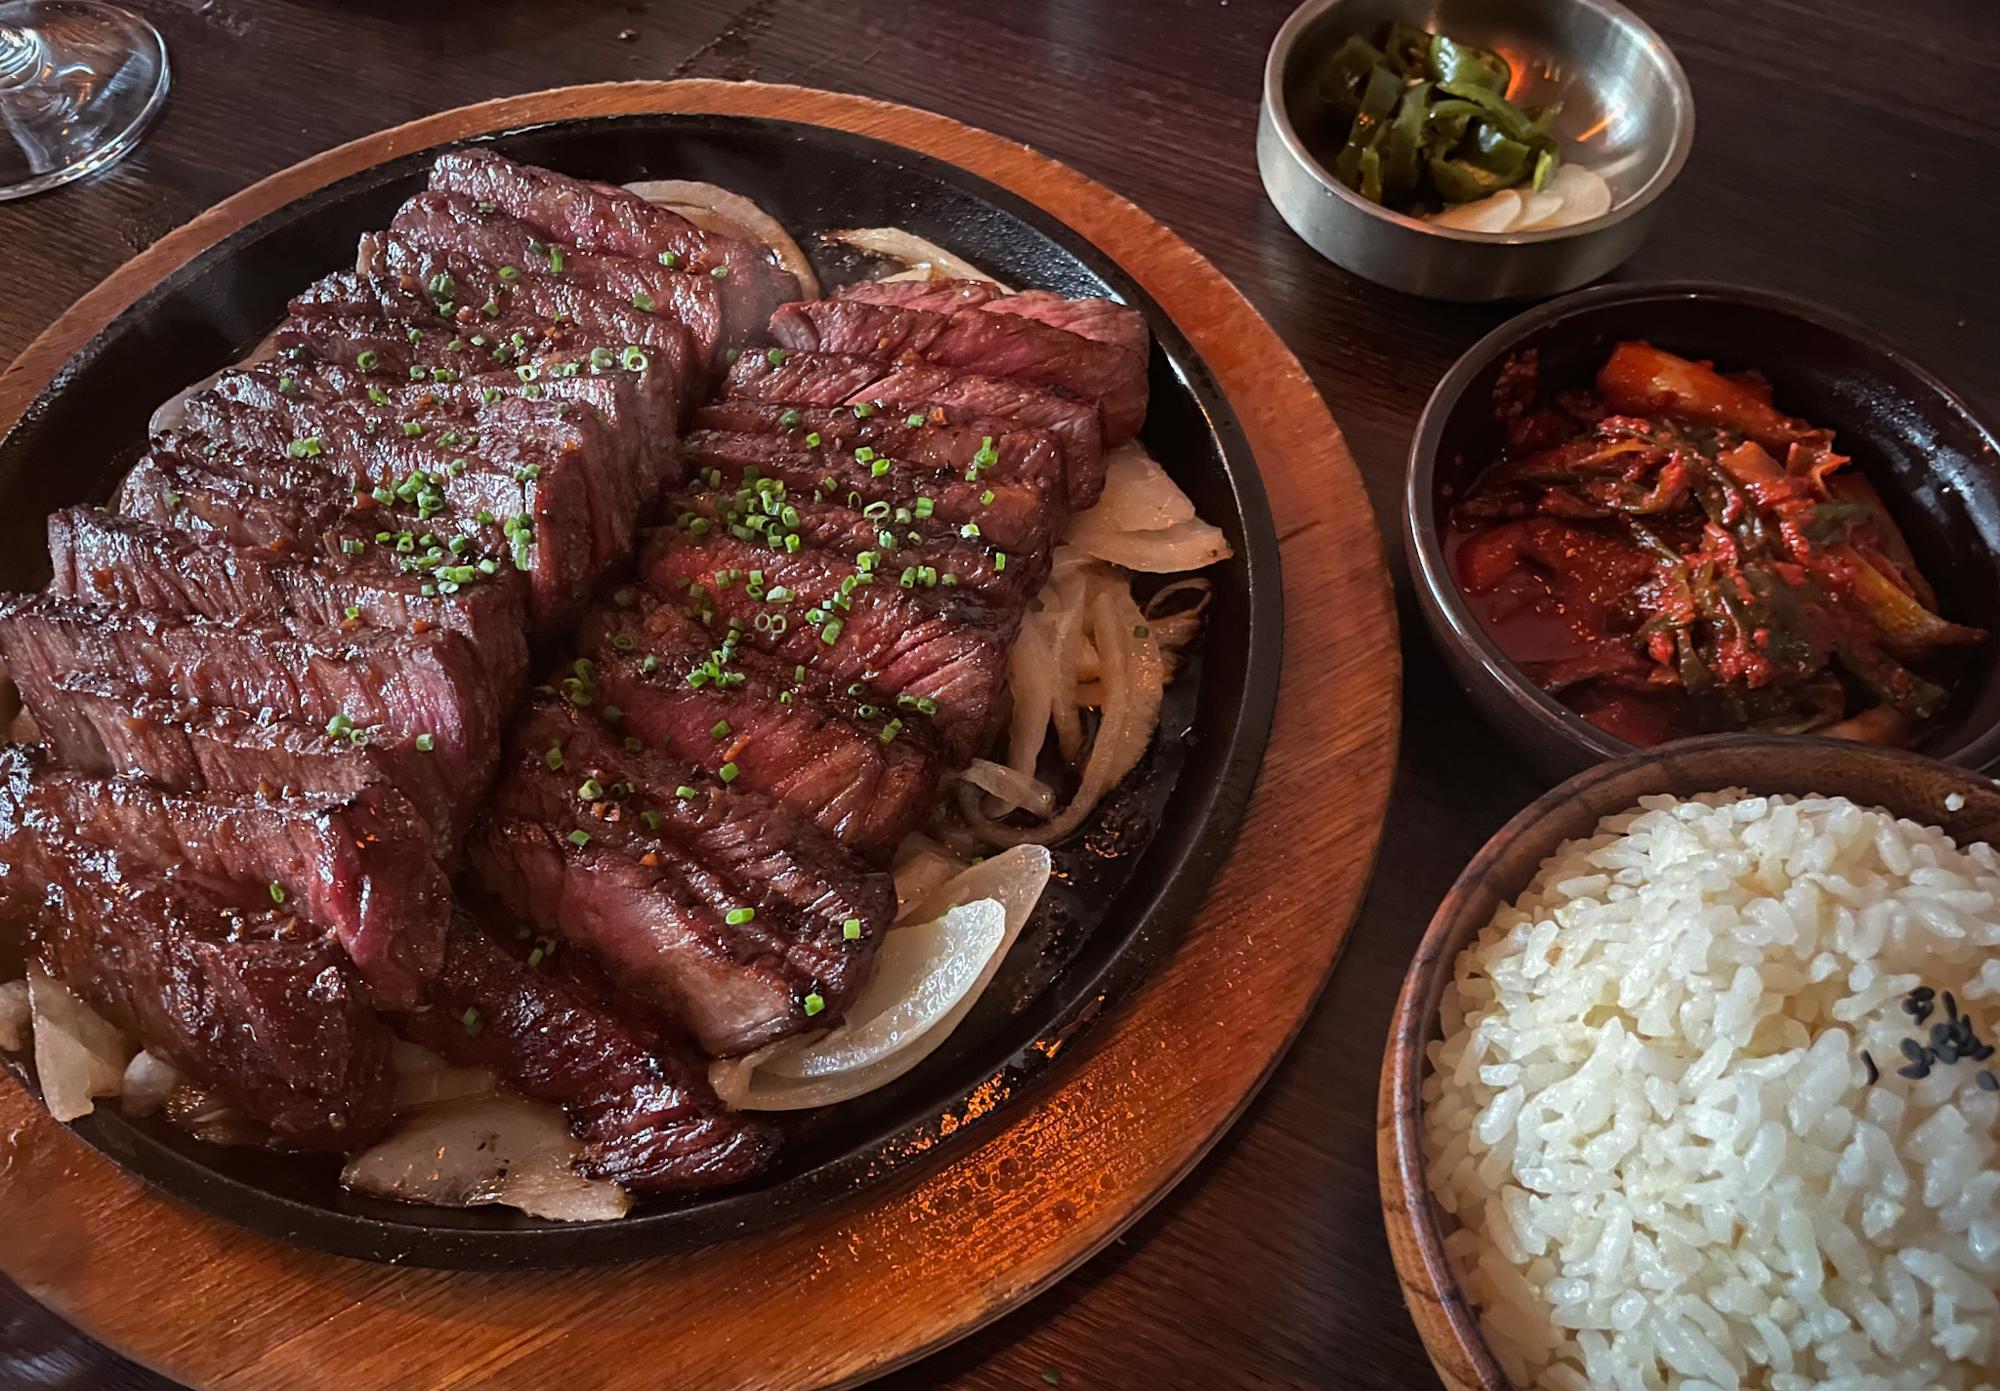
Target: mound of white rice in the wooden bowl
1653, 1130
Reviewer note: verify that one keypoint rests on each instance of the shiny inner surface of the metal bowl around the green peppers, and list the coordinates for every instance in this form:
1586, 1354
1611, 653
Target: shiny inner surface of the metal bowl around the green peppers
1623, 107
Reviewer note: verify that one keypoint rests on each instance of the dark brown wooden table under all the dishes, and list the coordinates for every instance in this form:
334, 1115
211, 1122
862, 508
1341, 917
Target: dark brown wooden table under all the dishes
1847, 153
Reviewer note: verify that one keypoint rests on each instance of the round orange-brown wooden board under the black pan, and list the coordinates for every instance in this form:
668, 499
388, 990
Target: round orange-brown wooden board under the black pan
923, 1260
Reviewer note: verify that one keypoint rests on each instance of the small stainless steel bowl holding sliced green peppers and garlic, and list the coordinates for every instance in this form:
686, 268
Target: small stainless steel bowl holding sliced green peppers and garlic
1627, 113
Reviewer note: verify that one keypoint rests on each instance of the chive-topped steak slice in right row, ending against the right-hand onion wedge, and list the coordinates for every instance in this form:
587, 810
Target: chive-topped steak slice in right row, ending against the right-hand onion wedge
1001, 479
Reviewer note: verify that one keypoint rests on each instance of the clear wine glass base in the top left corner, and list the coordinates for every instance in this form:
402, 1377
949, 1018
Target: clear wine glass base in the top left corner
101, 79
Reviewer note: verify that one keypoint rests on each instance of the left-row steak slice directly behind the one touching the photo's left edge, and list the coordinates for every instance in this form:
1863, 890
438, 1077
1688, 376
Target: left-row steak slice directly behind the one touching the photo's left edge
107, 559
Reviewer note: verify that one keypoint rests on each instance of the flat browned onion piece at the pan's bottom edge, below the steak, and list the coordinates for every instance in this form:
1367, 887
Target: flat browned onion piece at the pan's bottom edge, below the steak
489, 1150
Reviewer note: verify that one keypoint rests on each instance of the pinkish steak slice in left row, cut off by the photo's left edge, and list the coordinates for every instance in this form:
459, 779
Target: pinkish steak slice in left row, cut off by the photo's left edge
401, 691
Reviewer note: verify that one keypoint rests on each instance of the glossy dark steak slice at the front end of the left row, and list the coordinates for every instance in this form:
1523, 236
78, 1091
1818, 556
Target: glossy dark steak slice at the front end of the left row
257, 1006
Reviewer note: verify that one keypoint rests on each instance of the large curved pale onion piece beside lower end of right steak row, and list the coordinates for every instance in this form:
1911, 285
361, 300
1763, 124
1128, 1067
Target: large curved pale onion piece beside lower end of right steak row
919, 970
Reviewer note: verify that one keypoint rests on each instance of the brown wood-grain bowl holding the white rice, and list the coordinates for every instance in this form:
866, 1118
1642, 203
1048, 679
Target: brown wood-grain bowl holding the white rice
1905, 784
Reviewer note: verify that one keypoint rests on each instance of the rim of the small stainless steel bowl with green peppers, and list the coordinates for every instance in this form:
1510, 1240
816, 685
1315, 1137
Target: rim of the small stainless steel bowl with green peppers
1651, 191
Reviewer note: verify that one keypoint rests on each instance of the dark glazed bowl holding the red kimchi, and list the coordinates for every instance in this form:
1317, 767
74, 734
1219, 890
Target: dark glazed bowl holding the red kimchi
1937, 467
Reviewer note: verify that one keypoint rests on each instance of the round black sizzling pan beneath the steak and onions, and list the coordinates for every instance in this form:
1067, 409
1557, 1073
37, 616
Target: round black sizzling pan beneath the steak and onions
1127, 884
